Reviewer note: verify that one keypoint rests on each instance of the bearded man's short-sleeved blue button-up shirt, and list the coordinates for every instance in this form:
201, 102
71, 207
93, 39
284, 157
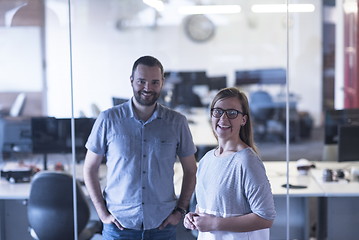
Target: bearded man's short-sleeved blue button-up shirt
140, 157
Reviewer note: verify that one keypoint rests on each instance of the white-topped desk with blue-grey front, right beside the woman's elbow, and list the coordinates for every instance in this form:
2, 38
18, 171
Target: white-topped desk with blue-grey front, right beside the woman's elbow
300, 200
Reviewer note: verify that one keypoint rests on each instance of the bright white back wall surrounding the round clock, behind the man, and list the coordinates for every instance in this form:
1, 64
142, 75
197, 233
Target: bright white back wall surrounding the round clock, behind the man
102, 54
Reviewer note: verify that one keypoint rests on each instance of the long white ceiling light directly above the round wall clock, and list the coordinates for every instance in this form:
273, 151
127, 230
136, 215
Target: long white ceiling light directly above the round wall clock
210, 9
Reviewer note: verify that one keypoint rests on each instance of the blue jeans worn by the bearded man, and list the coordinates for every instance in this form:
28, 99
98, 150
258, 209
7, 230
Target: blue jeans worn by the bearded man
111, 232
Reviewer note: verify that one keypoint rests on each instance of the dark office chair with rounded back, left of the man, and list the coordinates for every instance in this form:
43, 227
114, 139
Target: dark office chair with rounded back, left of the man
50, 208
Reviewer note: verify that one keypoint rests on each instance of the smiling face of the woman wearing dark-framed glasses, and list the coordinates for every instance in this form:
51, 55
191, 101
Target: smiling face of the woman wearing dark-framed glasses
227, 128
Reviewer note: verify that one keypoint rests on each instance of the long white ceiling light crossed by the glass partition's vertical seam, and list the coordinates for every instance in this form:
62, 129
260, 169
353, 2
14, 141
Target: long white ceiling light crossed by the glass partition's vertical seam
282, 8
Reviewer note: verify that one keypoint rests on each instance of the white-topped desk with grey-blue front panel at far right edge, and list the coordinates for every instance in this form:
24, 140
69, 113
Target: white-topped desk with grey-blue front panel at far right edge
338, 210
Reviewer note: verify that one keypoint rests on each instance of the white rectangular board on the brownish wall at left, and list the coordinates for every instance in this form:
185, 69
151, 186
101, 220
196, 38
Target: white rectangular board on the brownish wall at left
20, 59
